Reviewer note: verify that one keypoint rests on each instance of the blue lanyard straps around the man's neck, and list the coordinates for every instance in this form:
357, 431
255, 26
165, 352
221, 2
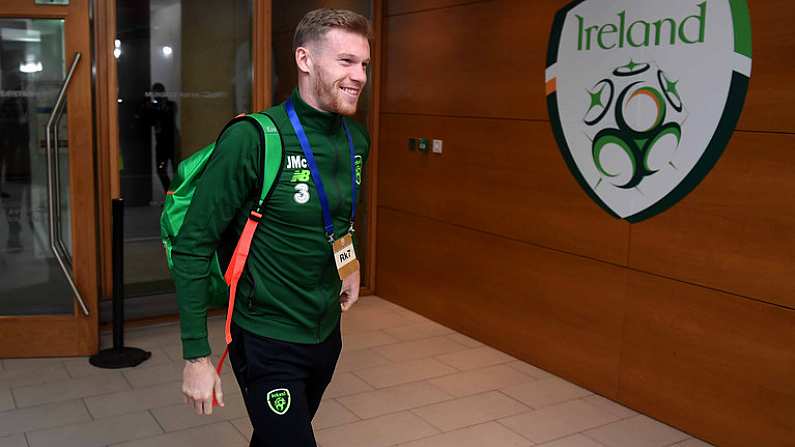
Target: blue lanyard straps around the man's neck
328, 224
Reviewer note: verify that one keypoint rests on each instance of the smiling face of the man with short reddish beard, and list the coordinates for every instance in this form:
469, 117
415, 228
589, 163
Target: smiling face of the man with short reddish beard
340, 61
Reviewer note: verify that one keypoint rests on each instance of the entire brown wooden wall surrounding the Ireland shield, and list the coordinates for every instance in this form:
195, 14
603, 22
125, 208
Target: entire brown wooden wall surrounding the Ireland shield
698, 327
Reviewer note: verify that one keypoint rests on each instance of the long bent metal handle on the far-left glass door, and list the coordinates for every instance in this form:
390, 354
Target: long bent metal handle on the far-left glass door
53, 185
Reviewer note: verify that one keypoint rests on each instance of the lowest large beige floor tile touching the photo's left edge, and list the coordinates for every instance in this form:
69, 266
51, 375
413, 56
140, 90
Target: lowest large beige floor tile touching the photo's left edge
43, 416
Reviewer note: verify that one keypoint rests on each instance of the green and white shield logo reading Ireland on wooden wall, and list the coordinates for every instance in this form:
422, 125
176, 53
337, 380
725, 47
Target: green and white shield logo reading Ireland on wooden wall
643, 95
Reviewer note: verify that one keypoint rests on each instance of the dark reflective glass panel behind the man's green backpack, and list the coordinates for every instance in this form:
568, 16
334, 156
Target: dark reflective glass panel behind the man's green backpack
184, 70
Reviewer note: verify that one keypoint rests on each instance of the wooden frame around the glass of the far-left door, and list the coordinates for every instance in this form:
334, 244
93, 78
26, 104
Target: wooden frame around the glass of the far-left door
75, 334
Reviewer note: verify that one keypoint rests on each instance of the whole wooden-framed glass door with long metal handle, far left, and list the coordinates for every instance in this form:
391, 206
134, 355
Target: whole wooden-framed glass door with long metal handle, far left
48, 256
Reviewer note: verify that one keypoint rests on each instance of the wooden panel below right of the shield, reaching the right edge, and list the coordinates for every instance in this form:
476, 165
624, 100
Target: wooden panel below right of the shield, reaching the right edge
735, 232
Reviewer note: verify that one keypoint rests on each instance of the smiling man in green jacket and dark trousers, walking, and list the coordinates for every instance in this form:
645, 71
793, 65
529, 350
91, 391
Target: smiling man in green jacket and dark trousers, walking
301, 271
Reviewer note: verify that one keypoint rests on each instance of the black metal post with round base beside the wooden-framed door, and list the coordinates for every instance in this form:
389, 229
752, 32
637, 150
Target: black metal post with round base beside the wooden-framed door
118, 356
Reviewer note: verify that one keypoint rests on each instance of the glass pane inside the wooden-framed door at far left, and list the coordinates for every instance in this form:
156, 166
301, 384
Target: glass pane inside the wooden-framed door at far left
32, 69
